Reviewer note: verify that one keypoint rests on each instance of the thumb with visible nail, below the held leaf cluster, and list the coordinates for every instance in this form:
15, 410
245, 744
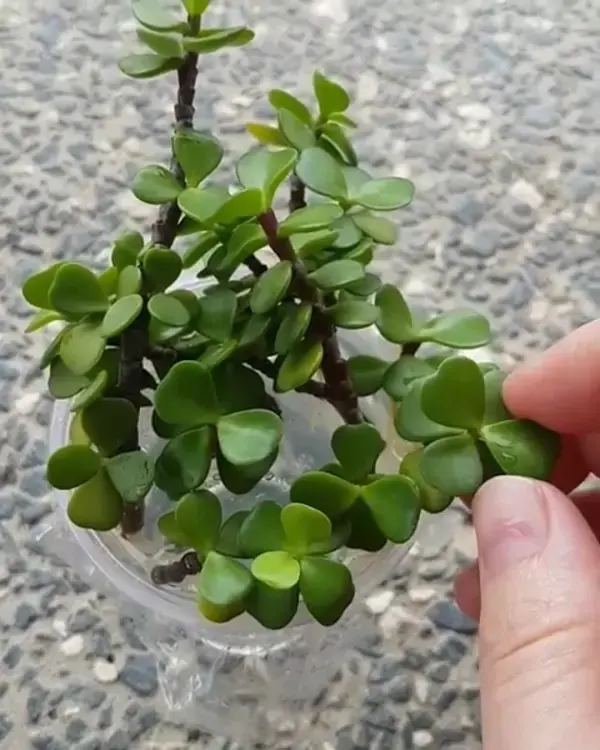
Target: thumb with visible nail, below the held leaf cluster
539, 570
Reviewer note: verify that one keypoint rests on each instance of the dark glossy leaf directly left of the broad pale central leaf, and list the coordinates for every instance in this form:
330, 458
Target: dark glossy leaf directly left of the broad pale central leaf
184, 462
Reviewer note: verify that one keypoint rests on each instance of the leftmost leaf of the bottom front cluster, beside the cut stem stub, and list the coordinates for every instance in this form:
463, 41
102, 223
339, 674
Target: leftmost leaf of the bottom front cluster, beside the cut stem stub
223, 586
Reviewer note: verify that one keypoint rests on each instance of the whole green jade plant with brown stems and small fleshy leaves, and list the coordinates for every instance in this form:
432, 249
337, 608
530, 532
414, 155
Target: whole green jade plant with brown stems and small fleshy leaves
209, 364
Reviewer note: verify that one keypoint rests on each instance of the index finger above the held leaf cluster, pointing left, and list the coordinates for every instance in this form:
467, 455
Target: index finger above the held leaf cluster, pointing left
560, 388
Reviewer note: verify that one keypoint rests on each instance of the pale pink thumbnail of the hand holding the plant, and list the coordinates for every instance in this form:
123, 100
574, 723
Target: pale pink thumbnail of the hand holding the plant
511, 522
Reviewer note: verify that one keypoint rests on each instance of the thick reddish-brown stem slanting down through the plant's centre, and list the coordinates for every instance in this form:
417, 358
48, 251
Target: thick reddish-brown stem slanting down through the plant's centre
334, 367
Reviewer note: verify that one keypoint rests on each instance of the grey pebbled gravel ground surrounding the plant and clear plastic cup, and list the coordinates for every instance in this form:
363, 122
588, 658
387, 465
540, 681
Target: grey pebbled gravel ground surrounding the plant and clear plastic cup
490, 107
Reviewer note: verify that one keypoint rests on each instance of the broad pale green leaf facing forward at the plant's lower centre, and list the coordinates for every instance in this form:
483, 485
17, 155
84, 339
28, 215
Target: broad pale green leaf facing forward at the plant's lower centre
248, 437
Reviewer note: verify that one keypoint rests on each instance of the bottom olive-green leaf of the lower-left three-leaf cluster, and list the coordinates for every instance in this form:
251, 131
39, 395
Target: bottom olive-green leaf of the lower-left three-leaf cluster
96, 504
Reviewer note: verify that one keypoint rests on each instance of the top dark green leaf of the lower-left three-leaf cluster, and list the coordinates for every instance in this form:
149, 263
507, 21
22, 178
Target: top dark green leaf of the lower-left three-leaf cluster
109, 423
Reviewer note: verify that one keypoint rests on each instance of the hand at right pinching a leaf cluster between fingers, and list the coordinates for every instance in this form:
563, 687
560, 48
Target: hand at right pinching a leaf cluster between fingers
536, 586
